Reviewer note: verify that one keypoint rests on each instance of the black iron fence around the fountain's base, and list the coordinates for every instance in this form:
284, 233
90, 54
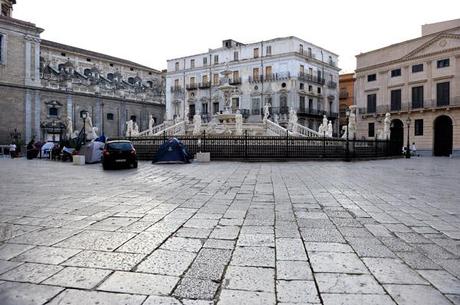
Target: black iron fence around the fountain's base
253, 148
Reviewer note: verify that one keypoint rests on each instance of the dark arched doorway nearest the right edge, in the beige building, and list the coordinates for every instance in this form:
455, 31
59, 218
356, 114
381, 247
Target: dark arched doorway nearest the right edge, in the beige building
442, 144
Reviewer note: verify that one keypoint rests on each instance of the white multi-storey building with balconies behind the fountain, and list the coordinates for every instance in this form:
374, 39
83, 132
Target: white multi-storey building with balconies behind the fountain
283, 72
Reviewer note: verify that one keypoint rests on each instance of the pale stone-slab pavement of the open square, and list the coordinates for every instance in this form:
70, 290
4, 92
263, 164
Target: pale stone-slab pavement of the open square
378, 232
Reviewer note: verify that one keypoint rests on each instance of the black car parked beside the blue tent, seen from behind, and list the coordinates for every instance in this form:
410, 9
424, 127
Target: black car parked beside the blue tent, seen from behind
118, 153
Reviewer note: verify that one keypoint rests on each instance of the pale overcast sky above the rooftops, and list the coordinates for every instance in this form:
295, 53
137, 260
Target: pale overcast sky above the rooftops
149, 32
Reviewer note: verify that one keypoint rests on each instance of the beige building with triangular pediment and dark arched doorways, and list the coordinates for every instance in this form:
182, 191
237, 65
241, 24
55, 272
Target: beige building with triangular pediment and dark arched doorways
418, 83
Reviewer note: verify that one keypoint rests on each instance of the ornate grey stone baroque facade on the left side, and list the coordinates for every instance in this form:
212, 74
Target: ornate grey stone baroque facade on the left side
43, 84
